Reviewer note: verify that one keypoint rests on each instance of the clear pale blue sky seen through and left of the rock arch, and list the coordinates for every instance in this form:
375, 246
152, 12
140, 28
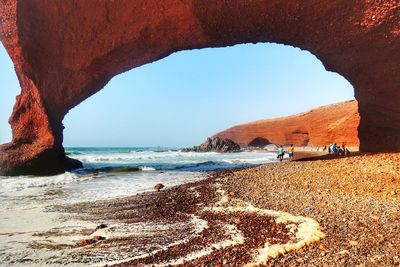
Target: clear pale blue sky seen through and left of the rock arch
182, 99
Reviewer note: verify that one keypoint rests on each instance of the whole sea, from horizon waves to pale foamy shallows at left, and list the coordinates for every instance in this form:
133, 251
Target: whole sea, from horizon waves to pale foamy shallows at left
27, 201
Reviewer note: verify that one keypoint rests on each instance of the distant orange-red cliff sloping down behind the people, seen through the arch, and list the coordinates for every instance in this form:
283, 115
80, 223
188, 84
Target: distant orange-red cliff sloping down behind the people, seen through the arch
319, 127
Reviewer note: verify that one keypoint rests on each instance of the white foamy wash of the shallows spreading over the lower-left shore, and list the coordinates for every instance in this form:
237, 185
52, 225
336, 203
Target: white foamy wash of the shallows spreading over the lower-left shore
26, 215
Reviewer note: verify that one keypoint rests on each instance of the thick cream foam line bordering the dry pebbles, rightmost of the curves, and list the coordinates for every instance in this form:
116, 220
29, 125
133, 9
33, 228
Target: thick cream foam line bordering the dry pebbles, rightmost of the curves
306, 230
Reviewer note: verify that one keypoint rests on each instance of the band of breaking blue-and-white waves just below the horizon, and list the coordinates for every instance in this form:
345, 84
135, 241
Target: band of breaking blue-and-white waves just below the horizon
168, 160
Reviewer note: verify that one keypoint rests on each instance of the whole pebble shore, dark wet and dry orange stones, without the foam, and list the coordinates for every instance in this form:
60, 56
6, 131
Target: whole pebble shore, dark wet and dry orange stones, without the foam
354, 199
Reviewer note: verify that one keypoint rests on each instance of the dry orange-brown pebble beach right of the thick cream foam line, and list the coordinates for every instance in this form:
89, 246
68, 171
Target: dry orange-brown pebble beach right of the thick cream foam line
356, 200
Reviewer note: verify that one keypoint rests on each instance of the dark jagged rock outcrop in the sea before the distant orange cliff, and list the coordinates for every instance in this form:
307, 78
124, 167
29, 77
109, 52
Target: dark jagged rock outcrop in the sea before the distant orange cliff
215, 144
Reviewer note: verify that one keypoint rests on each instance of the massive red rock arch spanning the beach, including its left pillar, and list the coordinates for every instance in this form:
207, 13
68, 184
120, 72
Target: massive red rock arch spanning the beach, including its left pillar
66, 50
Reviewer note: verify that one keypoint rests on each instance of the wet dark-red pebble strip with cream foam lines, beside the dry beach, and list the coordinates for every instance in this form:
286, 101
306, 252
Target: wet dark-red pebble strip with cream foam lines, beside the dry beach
234, 230
